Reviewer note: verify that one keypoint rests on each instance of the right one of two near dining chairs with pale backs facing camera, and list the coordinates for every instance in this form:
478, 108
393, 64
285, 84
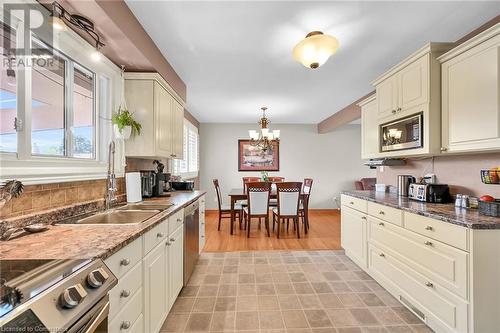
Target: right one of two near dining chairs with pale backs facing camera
288, 194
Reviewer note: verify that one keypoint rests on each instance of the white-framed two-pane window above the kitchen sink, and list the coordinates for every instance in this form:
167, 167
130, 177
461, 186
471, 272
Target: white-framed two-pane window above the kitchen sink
63, 113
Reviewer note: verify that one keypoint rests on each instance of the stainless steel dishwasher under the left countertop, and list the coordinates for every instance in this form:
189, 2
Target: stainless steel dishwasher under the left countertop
191, 239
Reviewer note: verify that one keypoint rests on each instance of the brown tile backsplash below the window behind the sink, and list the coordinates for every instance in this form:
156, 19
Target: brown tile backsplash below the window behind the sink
37, 198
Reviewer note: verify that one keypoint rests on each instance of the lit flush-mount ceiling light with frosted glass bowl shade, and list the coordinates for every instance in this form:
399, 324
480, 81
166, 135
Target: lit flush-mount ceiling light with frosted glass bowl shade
314, 50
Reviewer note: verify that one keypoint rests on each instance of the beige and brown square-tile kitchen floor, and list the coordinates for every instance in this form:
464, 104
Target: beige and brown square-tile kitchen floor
281, 291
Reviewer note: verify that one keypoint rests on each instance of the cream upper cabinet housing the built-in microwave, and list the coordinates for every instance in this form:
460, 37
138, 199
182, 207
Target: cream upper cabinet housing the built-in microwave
410, 87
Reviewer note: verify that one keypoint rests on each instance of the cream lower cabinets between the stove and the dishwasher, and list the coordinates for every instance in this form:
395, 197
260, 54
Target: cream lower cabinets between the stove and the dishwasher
150, 277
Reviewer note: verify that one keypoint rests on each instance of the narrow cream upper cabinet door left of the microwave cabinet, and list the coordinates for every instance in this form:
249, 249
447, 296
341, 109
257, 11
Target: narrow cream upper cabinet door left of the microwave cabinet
369, 130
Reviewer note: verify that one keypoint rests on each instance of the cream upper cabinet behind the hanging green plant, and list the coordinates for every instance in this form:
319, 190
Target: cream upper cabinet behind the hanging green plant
160, 111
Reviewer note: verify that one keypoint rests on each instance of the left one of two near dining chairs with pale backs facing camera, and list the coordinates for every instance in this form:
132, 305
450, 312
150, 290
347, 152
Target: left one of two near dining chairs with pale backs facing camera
258, 194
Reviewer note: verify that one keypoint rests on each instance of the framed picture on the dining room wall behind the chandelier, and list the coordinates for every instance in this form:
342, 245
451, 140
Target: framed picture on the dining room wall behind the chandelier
251, 158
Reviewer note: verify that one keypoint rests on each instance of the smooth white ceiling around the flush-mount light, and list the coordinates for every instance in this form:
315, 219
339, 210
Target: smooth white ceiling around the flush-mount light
235, 56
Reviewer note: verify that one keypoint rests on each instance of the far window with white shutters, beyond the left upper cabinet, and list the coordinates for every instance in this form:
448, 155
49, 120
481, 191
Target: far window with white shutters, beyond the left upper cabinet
188, 167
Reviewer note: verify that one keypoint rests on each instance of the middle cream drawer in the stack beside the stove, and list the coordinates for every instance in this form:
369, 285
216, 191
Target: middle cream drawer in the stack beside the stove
127, 286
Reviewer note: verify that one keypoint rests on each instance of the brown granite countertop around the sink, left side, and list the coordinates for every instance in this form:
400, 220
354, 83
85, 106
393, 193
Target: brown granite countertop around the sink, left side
73, 241
